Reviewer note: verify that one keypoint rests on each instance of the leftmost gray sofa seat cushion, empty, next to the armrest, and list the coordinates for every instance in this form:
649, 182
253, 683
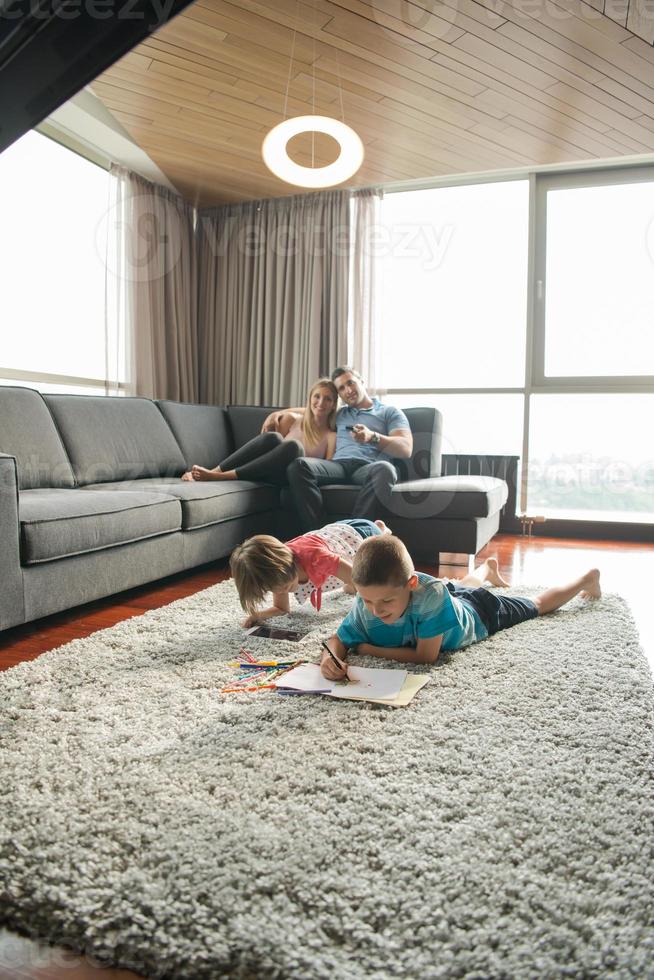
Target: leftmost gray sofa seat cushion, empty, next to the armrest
59, 523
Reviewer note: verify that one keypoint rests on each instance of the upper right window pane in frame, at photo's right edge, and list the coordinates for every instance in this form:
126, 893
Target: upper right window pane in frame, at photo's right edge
596, 313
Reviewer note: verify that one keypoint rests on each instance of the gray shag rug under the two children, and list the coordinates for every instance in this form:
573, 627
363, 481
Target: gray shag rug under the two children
501, 826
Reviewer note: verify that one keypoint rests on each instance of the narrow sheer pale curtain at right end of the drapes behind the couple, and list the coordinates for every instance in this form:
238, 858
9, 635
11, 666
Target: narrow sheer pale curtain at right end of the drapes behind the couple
364, 349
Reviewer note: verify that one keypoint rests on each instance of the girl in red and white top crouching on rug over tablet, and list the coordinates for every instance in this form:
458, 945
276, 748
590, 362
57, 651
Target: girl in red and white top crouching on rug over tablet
311, 564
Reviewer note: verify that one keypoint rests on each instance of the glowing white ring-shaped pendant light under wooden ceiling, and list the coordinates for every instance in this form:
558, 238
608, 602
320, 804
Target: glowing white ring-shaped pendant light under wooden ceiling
278, 161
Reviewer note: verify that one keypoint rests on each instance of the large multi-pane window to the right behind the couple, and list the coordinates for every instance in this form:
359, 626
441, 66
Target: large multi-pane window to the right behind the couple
558, 369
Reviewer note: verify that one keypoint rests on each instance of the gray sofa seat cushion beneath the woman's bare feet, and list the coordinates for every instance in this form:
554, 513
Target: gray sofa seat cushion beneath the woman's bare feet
205, 503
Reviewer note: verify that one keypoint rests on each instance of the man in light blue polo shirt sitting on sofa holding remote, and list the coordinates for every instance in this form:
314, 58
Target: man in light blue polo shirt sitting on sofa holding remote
368, 436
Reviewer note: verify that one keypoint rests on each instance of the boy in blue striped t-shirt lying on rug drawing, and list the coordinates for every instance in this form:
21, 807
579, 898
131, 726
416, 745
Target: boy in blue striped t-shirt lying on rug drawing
405, 615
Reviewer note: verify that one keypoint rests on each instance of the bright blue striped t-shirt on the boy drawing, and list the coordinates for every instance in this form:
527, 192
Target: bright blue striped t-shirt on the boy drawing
432, 611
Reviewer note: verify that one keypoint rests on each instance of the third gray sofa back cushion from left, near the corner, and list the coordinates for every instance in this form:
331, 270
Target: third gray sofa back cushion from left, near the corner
202, 431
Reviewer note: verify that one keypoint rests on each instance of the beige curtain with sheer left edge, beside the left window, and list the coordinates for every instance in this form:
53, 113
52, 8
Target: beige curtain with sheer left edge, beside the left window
152, 288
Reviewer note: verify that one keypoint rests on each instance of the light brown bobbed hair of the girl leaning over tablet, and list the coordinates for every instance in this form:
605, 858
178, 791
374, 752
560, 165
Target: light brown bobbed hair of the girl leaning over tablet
261, 564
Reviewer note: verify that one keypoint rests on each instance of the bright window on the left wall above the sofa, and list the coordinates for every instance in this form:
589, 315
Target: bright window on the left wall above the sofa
52, 248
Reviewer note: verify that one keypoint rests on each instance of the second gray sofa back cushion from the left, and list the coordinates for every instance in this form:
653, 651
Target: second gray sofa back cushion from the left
115, 438
